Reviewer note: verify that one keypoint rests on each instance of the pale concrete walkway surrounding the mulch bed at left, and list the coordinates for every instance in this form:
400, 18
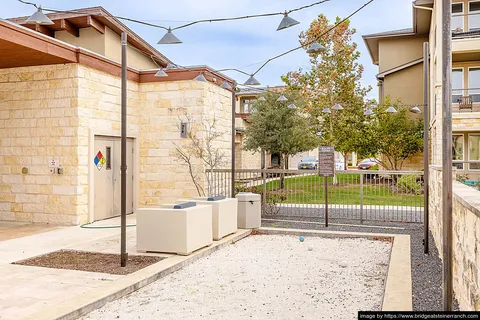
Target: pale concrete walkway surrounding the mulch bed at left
28, 292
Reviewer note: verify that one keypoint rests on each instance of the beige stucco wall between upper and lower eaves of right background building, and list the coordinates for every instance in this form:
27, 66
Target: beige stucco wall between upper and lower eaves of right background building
396, 52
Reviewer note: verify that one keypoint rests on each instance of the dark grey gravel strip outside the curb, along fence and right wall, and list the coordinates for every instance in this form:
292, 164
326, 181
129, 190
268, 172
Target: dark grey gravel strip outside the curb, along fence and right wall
426, 269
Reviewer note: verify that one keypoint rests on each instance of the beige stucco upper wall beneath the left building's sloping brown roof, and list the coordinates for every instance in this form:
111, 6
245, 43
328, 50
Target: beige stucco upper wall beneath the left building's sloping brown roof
108, 45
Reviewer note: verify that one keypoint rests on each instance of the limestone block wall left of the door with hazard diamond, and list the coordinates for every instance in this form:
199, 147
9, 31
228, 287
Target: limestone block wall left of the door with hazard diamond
39, 123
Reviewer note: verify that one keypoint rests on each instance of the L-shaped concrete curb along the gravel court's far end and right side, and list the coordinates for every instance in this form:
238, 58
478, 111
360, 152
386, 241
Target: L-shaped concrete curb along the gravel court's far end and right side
398, 285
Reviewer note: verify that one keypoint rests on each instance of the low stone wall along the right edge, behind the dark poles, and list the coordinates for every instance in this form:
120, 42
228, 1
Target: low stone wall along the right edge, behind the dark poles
466, 238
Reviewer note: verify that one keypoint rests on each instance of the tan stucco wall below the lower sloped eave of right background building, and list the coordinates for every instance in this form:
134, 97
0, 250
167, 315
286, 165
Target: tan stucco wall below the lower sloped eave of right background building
406, 85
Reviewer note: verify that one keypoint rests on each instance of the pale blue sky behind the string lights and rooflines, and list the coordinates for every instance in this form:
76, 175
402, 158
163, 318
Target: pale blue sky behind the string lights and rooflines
237, 44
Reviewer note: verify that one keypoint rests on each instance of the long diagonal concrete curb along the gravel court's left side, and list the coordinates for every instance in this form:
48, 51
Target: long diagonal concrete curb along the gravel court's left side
94, 299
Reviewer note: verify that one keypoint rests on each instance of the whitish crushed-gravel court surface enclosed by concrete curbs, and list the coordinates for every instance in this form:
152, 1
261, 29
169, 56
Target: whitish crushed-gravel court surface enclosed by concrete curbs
266, 277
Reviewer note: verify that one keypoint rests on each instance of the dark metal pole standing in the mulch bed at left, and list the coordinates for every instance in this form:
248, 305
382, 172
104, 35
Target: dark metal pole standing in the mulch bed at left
123, 165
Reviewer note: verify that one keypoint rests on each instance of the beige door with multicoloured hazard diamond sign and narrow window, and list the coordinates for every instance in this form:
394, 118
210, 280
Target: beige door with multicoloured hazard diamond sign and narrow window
107, 188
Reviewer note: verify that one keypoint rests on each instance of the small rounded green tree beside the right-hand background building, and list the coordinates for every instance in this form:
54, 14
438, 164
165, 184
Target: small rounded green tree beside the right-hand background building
394, 137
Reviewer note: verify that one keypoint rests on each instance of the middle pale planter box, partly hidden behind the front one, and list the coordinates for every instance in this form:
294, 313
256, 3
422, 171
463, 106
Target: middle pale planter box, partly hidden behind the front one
224, 215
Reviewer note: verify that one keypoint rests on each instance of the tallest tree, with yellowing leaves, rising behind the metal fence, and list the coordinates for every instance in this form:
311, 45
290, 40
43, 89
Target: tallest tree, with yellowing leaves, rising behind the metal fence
333, 77
